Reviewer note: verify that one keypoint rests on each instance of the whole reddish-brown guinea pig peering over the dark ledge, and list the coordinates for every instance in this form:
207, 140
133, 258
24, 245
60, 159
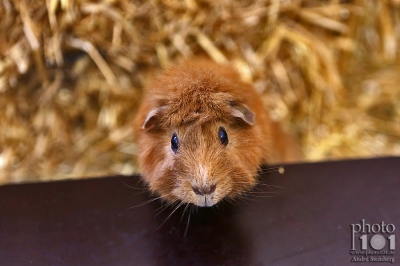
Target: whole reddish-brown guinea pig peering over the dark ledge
202, 134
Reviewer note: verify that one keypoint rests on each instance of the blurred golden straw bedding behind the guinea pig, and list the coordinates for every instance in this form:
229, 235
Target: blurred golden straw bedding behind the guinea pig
72, 74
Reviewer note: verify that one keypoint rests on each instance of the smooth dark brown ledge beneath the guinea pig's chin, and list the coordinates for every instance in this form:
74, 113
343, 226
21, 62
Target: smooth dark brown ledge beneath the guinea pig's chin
306, 221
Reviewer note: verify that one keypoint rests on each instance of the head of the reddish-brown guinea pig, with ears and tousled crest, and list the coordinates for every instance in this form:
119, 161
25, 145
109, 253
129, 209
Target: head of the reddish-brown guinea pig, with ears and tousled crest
200, 147
